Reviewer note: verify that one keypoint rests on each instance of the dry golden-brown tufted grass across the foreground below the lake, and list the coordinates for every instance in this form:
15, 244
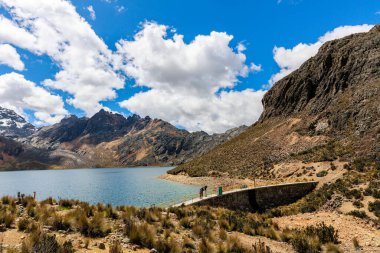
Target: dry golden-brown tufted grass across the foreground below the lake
189, 229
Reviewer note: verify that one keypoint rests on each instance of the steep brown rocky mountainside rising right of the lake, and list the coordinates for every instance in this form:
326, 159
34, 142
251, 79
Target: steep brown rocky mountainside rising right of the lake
327, 109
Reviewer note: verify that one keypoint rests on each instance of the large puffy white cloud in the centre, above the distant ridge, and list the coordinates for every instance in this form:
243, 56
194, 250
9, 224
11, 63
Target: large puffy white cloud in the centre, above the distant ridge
187, 81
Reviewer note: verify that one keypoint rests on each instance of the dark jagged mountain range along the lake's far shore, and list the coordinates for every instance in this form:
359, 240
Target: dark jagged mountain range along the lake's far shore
106, 140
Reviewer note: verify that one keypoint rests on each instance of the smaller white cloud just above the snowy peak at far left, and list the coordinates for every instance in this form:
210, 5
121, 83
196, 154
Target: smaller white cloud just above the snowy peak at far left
19, 94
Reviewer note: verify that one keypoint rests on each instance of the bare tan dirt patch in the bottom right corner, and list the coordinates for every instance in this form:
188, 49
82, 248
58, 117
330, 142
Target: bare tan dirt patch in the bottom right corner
348, 228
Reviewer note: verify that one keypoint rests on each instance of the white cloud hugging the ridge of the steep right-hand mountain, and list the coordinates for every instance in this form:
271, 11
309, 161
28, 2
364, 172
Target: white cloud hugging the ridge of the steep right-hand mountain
291, 59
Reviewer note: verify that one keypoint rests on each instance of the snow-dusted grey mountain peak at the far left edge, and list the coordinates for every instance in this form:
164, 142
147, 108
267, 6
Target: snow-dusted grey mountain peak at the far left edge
13, 125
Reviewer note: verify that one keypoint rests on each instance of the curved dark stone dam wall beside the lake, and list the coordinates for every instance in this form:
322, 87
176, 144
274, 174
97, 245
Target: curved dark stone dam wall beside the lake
259, 198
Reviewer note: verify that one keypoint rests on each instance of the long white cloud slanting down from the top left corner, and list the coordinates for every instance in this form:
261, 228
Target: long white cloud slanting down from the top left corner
55, 28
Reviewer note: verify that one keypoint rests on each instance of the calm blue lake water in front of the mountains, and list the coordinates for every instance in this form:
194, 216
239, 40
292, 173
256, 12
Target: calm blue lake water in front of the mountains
120, 186
